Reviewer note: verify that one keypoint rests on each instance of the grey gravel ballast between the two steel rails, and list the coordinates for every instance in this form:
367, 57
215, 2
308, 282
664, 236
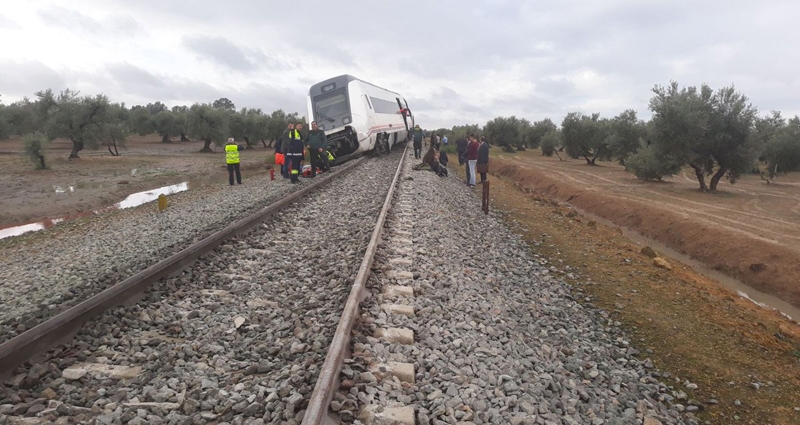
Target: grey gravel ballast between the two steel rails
237, 338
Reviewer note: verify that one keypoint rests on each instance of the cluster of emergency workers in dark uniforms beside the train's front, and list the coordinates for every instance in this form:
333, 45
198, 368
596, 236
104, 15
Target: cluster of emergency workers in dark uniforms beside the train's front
290, 151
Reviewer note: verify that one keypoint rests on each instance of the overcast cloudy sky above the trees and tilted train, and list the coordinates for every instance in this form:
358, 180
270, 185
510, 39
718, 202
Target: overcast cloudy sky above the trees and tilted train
456, 62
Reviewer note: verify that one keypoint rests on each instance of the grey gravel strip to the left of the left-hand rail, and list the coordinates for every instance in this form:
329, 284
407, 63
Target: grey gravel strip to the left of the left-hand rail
43, 276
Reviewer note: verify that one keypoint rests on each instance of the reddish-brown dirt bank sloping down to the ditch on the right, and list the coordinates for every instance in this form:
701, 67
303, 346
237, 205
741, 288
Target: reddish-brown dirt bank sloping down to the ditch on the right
769, 267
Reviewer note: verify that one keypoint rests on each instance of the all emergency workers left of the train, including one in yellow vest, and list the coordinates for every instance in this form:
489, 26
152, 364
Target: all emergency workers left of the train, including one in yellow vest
289, 153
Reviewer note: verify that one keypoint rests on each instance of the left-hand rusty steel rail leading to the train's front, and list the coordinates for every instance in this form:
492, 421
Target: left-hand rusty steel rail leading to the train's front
63, 326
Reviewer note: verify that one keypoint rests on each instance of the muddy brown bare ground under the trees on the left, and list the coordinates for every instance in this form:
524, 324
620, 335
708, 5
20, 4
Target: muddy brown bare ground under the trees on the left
71, 188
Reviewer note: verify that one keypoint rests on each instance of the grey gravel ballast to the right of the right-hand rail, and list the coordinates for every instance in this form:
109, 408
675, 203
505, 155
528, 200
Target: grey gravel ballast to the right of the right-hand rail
498, 337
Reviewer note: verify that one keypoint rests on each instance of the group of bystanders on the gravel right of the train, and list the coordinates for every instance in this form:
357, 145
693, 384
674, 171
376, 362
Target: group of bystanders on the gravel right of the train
471, 153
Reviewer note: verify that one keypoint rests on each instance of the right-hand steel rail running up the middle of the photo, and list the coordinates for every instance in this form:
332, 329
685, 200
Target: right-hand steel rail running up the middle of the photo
317, 410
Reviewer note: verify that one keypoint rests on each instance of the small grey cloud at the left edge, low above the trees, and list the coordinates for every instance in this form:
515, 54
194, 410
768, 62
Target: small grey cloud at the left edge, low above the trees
20, 79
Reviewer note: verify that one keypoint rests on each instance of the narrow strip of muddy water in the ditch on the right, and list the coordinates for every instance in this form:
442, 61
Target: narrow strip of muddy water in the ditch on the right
740, 288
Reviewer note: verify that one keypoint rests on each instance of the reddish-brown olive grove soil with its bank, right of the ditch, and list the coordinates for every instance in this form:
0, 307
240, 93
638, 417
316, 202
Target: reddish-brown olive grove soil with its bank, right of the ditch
749, 230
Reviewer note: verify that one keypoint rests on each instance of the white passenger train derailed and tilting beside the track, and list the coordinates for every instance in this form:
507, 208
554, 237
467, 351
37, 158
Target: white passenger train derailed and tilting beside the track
358, 116
